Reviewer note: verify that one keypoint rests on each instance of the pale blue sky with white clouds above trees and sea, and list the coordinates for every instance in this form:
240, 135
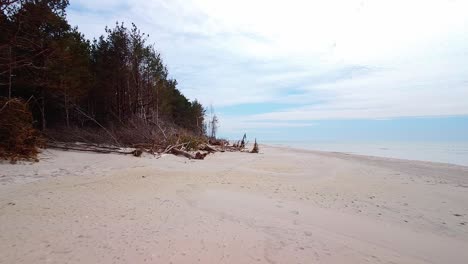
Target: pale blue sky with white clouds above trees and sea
310, 70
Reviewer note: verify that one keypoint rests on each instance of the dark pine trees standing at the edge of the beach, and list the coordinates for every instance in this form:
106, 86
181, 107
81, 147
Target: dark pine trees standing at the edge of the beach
69, 81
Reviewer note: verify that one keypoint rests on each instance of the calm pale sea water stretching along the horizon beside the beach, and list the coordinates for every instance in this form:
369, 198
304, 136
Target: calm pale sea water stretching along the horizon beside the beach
446, 152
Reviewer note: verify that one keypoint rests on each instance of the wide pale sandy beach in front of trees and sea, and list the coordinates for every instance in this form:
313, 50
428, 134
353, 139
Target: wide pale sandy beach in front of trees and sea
281, 206
